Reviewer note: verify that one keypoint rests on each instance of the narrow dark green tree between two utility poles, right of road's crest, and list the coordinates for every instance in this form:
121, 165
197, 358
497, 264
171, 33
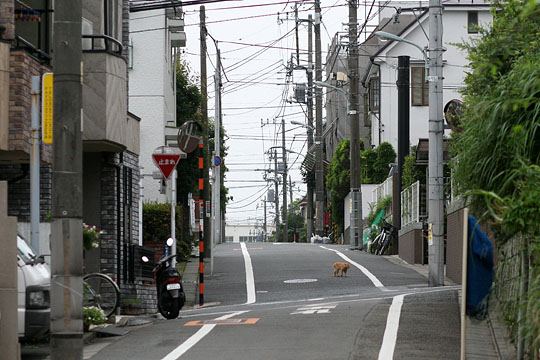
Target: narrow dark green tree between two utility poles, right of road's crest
338, 182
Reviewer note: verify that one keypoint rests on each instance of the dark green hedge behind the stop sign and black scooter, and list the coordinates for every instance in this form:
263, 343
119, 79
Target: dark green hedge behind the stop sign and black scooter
157, 227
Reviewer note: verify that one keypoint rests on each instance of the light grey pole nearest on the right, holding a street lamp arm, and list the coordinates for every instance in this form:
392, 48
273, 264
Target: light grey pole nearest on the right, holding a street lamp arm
436, 129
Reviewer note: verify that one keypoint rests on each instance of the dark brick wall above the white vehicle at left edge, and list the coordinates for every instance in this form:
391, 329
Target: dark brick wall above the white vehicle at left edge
19, 191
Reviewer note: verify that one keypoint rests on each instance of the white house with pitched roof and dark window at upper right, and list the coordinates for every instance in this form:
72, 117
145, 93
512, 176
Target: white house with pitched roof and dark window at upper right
460, 24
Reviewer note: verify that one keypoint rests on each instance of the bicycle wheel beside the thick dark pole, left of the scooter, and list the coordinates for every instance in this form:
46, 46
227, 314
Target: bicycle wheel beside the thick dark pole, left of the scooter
101, 291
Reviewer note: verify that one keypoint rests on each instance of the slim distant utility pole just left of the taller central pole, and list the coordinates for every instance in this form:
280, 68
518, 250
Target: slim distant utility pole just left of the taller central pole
309, 207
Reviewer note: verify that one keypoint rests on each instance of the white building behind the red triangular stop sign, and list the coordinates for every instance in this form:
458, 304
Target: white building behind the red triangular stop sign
155, 37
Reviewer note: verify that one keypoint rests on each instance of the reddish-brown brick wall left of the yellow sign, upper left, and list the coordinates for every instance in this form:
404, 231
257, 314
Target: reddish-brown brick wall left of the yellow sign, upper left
22, 68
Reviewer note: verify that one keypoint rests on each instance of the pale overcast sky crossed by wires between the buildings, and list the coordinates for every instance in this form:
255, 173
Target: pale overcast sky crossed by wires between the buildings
254, 88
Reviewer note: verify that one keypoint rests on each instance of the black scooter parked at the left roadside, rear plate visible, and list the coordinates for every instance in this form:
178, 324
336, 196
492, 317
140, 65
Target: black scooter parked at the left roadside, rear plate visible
170, 293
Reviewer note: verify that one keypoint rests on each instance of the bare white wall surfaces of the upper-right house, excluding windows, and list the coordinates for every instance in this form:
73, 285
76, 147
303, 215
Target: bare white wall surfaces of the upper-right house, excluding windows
455, 61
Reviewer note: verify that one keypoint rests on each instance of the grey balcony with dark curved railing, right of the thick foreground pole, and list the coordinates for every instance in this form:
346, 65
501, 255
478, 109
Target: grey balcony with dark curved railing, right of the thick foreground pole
107, 127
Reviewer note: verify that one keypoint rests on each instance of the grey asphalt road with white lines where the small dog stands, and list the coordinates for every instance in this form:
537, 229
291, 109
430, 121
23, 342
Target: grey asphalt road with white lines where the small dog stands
302, 311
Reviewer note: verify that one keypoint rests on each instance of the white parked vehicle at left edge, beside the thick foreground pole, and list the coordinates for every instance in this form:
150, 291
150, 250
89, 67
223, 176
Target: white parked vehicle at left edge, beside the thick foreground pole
33, 292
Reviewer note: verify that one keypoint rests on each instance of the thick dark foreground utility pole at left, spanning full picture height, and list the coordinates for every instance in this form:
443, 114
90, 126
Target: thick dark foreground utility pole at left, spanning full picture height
66, 229
